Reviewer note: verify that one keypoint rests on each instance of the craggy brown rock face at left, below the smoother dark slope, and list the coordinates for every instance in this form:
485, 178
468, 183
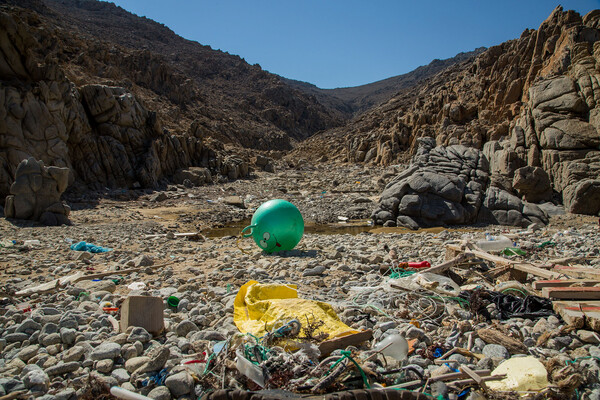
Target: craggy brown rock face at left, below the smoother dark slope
104, 135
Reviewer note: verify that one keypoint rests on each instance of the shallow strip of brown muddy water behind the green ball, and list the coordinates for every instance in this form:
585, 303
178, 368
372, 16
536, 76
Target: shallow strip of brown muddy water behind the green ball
347, 227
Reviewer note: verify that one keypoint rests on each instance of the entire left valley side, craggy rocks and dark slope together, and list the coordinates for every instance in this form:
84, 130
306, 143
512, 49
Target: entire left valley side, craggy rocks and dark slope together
124, 102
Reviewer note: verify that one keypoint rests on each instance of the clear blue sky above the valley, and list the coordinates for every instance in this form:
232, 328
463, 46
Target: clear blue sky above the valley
340, 43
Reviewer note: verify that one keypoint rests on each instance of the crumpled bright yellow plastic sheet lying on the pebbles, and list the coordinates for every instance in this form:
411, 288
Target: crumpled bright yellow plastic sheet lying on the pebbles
259, 308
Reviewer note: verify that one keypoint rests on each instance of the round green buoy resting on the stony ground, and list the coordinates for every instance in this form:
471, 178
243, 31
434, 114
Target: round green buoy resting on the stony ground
276, 225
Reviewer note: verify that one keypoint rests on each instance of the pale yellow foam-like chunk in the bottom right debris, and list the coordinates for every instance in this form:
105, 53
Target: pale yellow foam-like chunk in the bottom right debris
522, 373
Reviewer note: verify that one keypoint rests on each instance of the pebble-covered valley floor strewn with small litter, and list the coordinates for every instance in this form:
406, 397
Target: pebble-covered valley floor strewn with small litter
62, 343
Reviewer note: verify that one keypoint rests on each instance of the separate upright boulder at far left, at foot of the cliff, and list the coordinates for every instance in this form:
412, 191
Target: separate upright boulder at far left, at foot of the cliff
35, 194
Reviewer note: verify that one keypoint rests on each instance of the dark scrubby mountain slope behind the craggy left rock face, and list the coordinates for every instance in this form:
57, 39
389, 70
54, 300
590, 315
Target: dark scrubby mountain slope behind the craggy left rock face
235, 102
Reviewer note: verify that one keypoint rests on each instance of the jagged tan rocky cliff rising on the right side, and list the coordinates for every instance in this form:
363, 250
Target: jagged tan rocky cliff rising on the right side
531, 103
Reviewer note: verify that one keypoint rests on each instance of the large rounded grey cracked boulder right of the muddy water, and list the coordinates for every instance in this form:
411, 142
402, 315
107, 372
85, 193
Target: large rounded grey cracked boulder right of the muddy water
443, 186
